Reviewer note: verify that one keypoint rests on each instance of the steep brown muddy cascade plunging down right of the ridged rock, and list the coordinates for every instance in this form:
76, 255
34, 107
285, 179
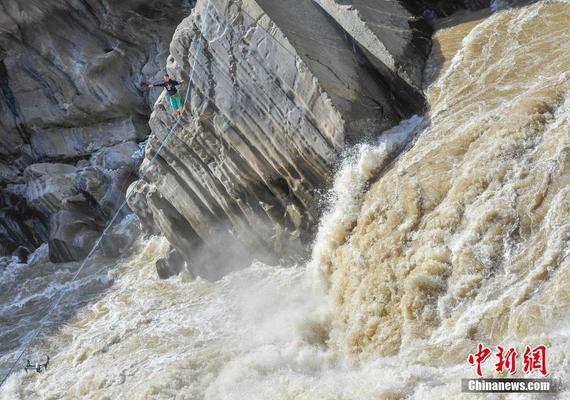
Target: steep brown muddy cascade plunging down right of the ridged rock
465, 239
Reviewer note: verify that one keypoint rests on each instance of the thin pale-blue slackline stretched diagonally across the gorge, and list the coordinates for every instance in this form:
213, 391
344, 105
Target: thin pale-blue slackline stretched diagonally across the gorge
44, 321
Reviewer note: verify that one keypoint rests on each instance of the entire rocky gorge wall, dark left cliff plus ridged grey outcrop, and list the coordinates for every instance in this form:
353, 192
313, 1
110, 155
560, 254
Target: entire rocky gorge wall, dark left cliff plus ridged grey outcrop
280, 87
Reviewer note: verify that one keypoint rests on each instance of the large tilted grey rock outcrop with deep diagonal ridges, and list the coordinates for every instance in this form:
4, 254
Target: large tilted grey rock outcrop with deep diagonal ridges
278, 89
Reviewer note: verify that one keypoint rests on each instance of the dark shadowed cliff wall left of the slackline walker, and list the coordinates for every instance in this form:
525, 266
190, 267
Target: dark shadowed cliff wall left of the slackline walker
72, 114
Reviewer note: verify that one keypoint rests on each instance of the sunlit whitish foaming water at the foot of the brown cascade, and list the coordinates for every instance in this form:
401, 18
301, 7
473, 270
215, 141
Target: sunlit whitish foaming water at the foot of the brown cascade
252, 335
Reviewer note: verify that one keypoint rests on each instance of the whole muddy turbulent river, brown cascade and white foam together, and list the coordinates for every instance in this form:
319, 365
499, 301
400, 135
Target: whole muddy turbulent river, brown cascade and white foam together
464, 238
